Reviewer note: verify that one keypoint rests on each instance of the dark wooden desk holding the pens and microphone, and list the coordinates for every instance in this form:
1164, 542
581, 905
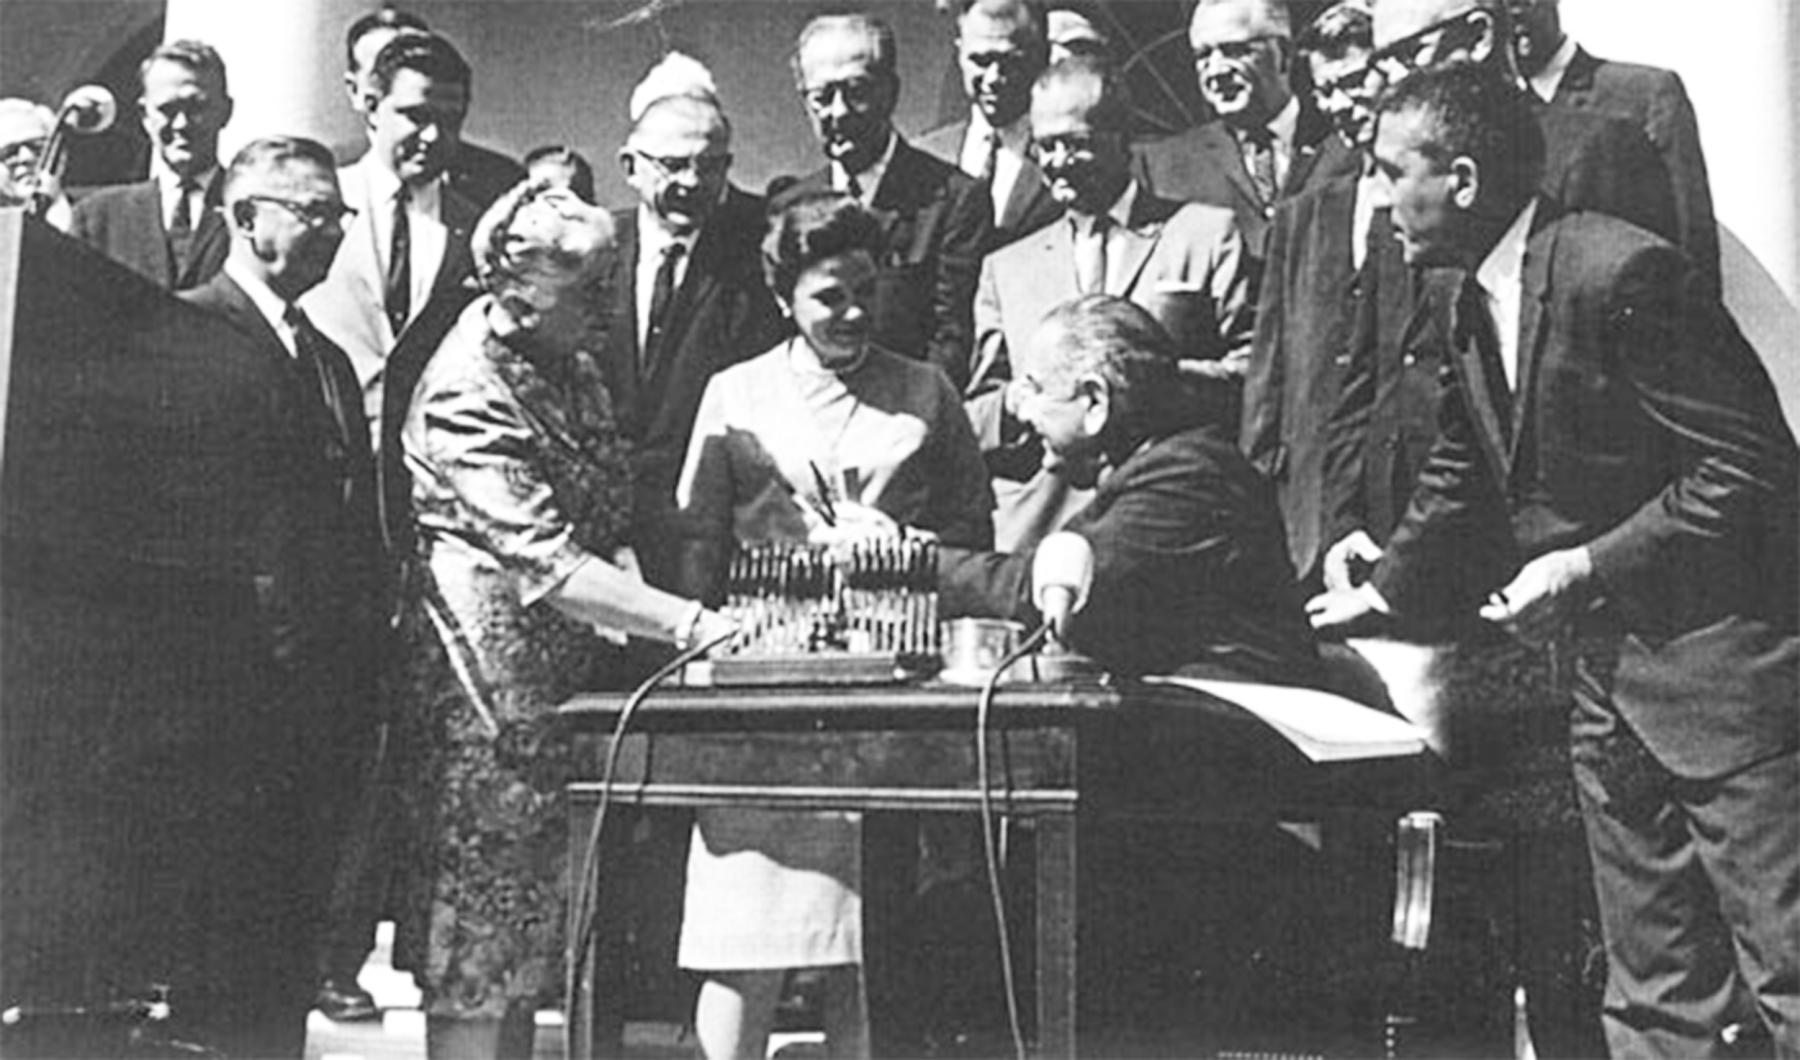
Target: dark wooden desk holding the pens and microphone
1063, 757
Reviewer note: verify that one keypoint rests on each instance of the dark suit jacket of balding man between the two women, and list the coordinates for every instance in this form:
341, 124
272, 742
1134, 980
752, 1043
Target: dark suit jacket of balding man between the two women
721, 314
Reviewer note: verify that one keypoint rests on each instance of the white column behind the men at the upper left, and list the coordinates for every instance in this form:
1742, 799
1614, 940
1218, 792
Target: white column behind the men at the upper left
285, 62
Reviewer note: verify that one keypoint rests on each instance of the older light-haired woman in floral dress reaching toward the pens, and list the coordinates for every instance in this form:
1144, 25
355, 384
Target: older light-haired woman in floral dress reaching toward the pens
521, 498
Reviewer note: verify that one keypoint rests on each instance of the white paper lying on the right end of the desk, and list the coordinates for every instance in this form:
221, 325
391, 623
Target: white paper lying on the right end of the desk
1324, 726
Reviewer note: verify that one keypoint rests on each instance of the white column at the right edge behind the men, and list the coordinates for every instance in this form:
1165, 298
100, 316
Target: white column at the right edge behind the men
1736, 60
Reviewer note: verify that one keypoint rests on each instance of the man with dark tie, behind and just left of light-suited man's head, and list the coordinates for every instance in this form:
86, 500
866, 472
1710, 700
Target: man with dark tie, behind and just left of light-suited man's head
1002, 48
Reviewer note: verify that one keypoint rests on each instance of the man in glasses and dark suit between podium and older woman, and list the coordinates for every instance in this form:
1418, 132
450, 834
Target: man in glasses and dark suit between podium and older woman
321, 593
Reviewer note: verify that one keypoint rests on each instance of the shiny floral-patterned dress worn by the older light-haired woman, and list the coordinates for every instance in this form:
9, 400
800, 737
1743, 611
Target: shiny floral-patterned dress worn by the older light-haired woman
517, 478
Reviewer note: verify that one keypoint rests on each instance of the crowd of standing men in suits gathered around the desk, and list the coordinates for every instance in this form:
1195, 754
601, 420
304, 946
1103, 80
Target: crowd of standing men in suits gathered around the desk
1459, 276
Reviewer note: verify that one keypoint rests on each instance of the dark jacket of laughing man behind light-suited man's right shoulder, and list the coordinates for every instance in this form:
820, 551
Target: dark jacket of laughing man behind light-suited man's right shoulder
1205, 165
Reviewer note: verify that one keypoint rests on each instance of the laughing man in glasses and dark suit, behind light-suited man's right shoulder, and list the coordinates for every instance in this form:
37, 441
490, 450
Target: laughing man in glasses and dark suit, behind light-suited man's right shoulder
1264, 143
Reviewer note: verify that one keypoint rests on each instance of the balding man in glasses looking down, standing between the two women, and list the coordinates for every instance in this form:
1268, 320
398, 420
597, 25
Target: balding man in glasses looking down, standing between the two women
690, 300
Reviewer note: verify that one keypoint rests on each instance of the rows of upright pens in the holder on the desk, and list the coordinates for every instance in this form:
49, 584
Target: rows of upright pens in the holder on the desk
807, 600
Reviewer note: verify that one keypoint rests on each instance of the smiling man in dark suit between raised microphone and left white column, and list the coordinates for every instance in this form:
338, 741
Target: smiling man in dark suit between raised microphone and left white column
168, 228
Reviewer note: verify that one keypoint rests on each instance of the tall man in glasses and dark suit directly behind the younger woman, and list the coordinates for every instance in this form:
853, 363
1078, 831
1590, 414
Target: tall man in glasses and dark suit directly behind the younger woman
939, 220
